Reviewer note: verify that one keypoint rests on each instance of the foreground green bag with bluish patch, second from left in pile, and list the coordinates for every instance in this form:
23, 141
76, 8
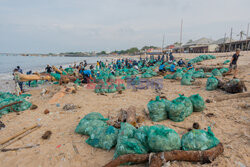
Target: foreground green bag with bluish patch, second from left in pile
103, 137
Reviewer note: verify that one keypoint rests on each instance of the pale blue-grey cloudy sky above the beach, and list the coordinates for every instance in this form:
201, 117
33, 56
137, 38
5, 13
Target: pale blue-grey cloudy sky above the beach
55, 26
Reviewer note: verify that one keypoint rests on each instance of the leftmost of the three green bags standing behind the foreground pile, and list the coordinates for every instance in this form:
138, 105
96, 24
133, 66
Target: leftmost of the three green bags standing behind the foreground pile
157, 110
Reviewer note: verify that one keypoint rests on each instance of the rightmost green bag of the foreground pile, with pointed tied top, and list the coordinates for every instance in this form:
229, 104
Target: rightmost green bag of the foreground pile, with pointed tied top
199, 140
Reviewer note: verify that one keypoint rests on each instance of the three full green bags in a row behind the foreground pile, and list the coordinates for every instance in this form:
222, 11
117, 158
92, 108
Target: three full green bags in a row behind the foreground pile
176, 110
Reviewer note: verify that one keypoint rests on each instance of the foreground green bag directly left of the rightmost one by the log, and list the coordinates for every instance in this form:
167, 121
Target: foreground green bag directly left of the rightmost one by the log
162, 138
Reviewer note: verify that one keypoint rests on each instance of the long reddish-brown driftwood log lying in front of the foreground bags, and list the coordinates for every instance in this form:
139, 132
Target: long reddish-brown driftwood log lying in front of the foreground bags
157, 160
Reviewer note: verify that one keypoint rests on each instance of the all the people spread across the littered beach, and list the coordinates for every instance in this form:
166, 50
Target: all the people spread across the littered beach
84, 73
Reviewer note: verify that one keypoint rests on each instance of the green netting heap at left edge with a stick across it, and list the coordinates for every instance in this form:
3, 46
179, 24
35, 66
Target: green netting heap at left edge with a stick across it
8, 98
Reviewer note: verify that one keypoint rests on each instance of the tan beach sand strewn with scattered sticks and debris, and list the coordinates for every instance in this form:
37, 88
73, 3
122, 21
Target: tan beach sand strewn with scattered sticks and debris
230, 123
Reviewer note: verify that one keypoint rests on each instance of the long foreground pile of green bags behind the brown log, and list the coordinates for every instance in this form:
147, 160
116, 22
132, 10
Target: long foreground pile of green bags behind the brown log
145, 139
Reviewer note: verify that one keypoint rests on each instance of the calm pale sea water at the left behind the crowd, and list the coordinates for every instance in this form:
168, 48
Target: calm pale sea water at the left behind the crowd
34, 63
